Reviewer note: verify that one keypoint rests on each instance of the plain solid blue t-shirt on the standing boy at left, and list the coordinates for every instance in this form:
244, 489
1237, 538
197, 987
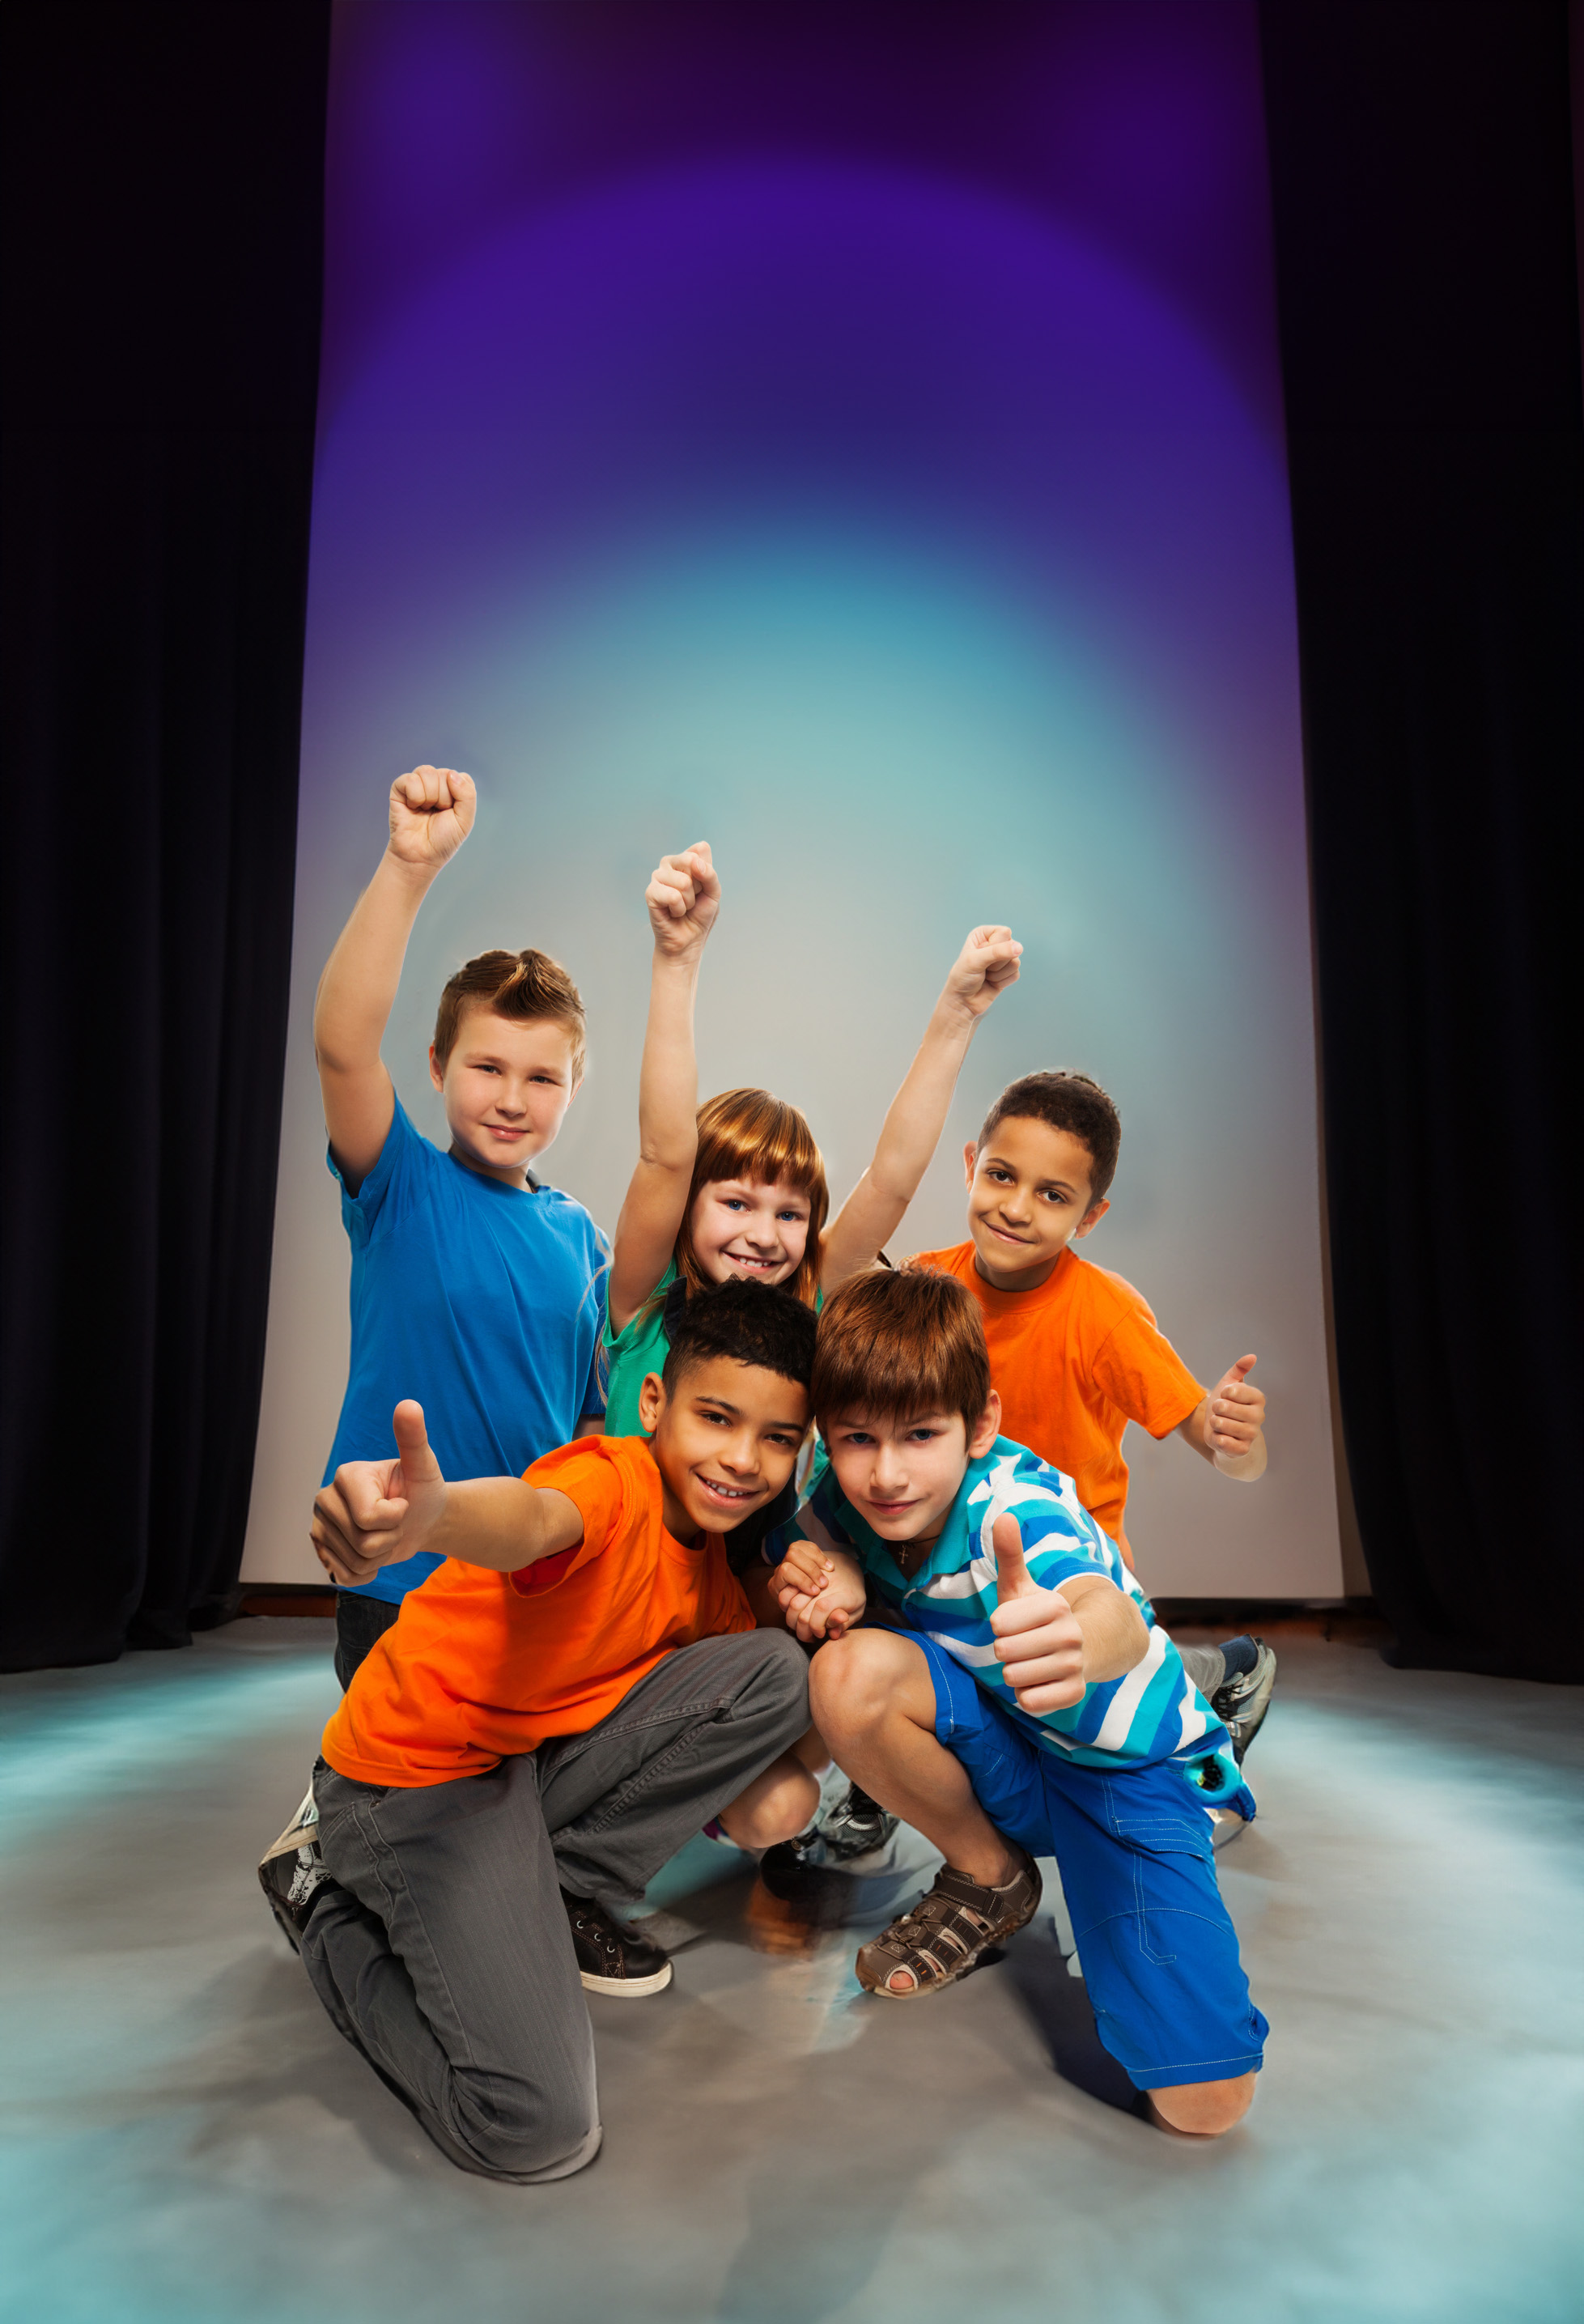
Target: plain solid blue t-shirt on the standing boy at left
480, 1300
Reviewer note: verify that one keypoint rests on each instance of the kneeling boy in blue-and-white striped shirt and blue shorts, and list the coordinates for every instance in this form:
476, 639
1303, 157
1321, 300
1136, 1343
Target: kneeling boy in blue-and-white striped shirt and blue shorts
1011, 1695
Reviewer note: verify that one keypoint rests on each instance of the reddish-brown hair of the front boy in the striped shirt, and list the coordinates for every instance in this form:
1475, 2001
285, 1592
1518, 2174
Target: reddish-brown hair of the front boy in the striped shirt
898, 1344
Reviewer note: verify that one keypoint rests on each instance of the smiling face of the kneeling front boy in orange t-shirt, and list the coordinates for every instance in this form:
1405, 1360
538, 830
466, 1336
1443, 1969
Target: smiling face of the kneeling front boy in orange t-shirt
726, 1442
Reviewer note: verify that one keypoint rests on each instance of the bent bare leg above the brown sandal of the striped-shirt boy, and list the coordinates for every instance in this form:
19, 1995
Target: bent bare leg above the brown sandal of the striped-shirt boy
877, 1707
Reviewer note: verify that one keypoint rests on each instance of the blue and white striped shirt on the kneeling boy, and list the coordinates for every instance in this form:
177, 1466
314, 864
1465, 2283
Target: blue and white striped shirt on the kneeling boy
1142, 1719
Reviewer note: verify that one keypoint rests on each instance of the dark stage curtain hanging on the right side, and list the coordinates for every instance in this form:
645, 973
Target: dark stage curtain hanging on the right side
1427, 287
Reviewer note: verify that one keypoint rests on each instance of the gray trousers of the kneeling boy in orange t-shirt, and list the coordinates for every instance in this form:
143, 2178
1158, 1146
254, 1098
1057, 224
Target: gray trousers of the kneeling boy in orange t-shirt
442, 1949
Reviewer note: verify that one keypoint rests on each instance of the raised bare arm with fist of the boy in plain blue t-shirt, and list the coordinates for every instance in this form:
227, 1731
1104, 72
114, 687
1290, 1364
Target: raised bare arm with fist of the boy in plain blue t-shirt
431, 817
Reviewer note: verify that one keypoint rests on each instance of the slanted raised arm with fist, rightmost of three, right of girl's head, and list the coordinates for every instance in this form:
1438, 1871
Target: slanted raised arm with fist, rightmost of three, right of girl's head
912, 1131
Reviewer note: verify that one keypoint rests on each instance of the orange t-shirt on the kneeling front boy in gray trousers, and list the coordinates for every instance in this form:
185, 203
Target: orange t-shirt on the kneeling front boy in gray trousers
484, 1665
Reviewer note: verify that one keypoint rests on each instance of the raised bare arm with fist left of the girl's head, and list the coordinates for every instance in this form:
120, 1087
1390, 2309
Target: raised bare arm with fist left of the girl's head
684, 898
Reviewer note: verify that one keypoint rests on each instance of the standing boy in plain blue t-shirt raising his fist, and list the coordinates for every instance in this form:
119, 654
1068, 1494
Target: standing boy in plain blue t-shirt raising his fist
475, 1289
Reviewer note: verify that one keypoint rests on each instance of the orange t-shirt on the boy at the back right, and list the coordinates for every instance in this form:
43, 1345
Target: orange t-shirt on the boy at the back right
1074, 1363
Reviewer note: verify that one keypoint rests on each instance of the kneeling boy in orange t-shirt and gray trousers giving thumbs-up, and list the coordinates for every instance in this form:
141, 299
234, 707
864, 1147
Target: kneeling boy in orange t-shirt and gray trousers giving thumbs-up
568, 1700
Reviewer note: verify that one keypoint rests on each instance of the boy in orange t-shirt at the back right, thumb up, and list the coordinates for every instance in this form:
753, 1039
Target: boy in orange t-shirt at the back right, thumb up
1077, 1351
